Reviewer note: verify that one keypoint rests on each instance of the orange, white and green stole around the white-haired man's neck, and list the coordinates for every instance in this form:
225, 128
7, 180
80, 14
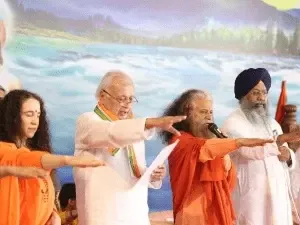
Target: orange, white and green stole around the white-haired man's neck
105, 114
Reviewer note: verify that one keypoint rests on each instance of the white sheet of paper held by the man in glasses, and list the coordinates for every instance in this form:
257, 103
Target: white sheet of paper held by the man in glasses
159, 160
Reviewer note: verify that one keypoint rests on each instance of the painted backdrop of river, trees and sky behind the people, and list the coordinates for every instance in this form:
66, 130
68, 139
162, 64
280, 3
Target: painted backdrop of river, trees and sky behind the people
61, 49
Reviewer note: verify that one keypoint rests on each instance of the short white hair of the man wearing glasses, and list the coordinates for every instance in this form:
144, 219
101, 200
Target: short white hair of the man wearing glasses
108, 78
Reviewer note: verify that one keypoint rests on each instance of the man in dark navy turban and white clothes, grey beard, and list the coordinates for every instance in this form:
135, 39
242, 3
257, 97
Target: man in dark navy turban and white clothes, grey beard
262, 194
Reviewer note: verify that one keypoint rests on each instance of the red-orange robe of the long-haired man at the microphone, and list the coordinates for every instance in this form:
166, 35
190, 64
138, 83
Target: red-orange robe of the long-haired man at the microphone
200, 184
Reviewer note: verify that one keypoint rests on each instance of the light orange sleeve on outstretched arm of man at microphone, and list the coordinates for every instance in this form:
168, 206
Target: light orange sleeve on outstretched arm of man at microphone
216, 148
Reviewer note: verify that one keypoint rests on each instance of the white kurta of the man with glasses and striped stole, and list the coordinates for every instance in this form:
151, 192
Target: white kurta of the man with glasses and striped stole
93, 137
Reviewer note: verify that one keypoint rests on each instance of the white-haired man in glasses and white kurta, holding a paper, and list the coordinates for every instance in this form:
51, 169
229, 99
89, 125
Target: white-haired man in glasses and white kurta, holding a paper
111, 134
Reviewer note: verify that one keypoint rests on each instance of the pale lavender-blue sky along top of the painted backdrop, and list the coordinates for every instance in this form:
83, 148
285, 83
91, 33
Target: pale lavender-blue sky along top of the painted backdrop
155, 15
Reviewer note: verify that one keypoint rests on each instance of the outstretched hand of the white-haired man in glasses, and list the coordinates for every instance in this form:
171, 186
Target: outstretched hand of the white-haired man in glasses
165, 123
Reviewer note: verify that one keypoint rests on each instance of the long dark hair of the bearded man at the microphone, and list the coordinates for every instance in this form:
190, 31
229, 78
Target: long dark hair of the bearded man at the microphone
180, 106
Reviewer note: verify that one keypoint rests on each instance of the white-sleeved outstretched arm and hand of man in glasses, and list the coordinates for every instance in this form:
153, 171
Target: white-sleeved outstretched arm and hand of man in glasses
94, 133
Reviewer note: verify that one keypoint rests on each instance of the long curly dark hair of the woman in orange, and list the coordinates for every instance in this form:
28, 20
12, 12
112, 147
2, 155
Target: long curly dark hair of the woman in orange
10, 121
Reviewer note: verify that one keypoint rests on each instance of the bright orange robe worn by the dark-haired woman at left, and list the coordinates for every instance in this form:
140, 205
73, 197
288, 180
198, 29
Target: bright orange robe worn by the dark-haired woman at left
24, 201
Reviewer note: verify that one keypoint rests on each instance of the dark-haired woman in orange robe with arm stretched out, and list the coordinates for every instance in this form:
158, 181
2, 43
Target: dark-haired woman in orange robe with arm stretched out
25, 142
